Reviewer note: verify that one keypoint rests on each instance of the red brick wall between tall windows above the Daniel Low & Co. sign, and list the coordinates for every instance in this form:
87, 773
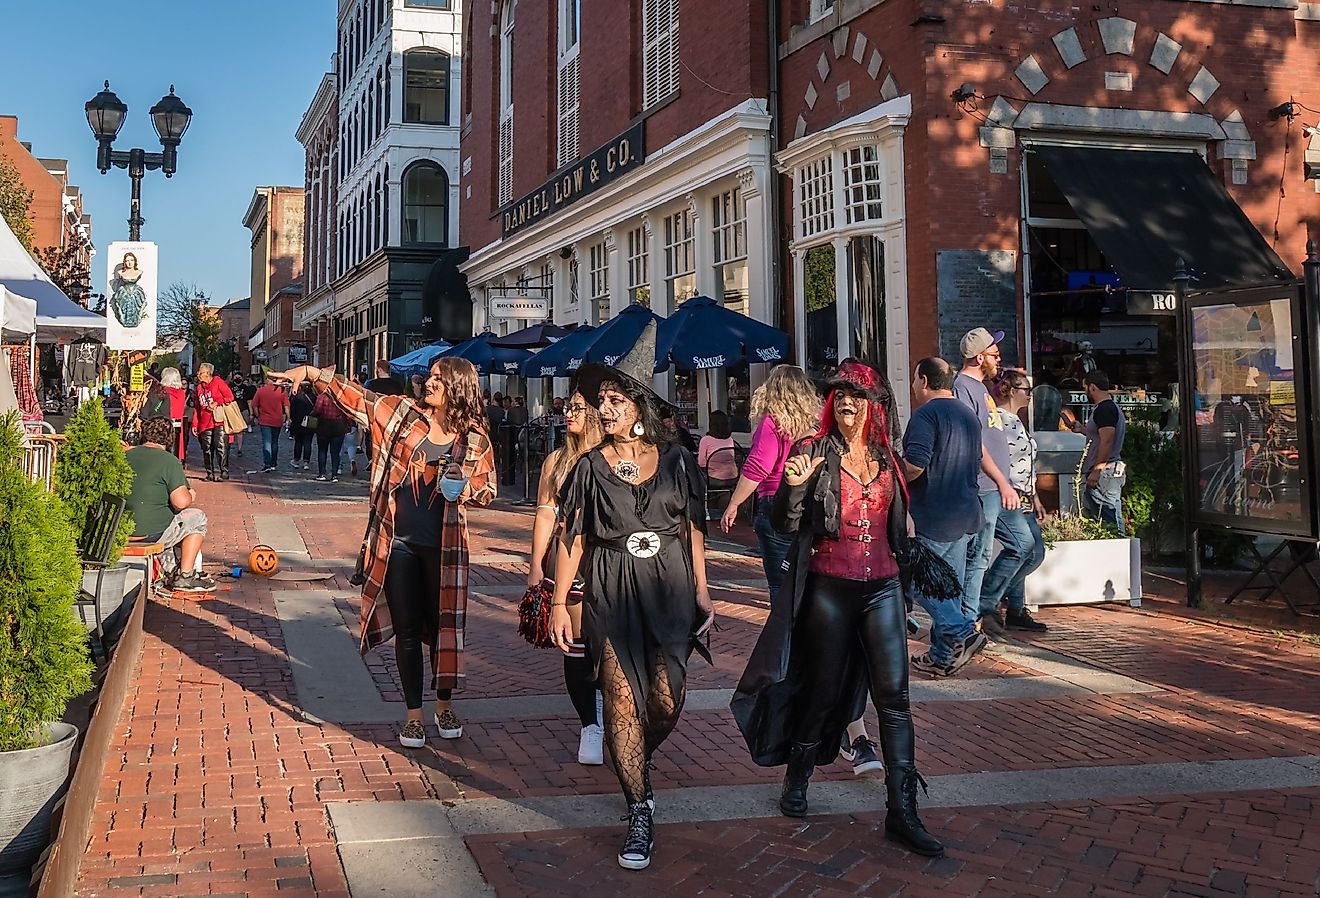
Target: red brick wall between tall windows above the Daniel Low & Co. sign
724, 46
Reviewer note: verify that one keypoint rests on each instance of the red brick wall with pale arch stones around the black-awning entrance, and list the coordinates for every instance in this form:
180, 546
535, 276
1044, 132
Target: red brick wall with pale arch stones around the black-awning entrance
1260, 56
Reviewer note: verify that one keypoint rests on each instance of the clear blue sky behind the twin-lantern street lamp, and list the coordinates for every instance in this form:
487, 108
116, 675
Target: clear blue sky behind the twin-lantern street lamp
247, 71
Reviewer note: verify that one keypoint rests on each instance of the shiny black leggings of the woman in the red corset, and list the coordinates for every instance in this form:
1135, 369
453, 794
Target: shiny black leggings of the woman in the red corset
834, 612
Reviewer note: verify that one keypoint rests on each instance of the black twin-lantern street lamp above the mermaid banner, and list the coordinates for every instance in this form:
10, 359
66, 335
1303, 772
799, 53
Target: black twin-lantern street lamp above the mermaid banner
106, 114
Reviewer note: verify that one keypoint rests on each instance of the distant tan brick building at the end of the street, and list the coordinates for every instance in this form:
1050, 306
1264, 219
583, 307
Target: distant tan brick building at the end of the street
275, 217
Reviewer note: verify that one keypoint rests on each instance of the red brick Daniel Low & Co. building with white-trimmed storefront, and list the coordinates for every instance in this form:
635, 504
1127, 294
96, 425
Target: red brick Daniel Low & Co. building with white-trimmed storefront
919, 170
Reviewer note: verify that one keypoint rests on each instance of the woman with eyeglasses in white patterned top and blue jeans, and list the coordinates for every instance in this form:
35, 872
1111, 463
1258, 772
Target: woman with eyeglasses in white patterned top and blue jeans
1006, 579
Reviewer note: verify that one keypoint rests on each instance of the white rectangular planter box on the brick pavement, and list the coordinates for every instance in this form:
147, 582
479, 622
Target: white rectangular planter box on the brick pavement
1083, 572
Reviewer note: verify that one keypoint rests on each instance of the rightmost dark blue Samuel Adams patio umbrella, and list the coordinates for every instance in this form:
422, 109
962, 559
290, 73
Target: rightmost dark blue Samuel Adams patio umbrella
704, 335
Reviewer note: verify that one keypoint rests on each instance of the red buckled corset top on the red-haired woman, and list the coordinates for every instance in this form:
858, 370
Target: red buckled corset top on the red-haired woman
863, 550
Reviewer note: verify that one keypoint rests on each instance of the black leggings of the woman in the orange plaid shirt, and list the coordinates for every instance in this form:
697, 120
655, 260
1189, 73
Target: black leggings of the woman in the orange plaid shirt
412, 587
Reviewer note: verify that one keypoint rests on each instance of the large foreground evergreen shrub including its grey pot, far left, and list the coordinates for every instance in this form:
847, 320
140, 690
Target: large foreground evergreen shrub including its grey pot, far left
43, 654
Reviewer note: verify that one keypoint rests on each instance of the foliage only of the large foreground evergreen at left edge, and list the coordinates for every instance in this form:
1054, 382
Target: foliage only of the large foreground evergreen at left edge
44, 658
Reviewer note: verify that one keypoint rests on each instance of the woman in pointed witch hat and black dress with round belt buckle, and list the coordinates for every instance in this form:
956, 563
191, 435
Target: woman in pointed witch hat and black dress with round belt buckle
634, 522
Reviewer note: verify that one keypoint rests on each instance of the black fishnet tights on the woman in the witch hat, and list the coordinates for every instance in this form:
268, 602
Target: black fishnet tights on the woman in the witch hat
633, 740
